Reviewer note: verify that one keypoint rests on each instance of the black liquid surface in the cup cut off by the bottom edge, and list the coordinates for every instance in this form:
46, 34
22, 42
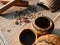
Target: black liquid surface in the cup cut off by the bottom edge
27, 37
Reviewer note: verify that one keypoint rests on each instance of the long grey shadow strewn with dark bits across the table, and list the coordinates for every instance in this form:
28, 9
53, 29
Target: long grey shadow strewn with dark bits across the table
29, 10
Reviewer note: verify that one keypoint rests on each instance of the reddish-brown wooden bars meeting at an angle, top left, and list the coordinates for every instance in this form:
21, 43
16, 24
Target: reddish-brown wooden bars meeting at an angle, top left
16, 3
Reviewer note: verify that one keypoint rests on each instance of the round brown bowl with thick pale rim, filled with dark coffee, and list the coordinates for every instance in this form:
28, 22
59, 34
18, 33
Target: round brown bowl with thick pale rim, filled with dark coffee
43, 25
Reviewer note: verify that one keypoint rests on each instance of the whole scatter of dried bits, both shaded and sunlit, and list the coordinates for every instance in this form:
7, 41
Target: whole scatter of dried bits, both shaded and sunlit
25, 15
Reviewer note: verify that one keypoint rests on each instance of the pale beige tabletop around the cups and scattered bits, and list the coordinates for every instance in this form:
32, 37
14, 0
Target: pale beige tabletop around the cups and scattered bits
12, 31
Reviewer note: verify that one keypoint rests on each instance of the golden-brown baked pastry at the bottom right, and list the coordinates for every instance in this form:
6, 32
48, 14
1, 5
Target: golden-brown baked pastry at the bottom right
49, 39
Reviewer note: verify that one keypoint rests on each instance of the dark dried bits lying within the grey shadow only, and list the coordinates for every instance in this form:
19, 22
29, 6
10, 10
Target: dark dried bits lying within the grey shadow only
29, 10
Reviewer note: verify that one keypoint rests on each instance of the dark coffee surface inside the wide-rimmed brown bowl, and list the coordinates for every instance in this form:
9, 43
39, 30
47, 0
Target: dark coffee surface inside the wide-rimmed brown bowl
42, 22
